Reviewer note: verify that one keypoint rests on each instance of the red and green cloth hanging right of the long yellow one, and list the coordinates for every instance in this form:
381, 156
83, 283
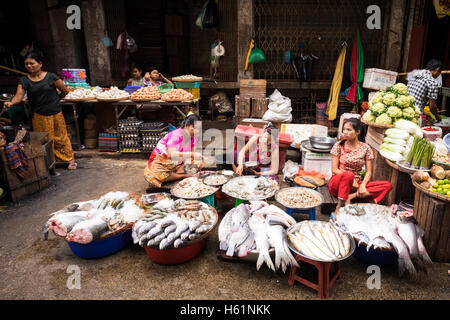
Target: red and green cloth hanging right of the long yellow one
355, 93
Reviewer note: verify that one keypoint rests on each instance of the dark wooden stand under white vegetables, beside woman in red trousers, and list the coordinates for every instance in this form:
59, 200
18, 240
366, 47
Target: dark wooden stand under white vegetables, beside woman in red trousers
402, 187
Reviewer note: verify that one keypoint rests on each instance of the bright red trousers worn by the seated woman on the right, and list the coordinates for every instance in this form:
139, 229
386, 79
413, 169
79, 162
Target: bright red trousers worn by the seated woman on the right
341, 186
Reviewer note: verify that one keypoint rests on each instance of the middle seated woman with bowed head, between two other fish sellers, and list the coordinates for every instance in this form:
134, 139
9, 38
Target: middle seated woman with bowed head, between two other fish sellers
268, 153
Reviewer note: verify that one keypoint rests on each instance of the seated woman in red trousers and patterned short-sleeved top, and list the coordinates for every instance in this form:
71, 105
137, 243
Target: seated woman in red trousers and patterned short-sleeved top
349, 156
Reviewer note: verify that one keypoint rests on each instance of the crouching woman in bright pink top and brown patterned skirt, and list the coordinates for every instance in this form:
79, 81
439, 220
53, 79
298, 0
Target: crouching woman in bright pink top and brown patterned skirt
166, 161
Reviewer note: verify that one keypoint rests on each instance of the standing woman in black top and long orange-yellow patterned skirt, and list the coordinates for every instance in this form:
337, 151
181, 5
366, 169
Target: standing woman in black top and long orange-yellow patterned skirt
41, 88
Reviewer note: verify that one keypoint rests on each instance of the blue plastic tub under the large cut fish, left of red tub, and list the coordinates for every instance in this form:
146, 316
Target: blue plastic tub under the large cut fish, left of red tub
101, 248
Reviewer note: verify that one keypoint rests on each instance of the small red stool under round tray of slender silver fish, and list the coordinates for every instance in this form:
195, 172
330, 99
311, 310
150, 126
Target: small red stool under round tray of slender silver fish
325, 281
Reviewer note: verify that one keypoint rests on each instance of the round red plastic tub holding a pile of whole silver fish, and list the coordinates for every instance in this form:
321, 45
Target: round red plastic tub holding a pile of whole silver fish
176, 256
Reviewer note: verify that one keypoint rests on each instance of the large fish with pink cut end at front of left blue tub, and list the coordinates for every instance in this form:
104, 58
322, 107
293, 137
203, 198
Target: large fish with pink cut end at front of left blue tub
86, 231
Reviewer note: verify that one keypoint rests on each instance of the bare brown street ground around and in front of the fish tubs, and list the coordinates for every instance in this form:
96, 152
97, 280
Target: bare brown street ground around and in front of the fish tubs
32, 268
